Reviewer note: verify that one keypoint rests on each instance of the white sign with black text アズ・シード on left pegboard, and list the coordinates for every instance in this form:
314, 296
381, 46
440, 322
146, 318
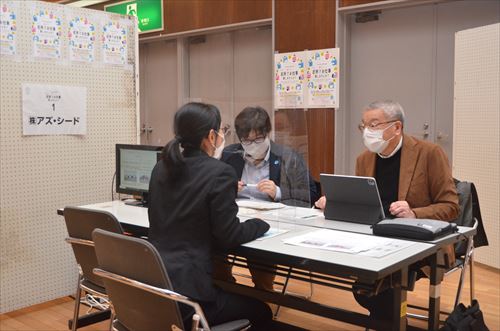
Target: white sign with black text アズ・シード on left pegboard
53, 109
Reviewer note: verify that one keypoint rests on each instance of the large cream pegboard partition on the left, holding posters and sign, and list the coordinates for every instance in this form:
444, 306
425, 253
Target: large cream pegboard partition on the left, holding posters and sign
39, 174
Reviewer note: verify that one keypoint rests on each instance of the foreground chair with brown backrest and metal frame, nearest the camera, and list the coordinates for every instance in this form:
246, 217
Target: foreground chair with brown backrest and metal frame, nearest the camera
140, 290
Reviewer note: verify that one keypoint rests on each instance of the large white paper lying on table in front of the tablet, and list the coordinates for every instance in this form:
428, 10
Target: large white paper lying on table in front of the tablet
348, 242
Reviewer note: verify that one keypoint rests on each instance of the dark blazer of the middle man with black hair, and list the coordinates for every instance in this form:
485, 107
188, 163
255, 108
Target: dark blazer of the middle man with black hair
287, 170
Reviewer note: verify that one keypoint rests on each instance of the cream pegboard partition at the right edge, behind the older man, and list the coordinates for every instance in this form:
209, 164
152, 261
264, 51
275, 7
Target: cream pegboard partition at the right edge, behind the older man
476, 134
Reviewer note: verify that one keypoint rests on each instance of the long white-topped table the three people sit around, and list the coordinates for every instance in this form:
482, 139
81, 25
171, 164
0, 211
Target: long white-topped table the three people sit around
328, 267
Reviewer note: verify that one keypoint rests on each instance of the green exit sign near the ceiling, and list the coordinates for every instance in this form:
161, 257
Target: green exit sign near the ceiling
149, 13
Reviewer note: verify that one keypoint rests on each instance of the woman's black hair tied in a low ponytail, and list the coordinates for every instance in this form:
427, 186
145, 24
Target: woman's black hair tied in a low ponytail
192, 123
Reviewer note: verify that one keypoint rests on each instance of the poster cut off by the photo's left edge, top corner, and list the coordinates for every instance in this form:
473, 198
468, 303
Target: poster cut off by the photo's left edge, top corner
8, 27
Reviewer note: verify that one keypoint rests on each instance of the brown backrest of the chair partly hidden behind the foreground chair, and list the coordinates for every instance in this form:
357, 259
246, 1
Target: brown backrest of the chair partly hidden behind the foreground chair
80, 223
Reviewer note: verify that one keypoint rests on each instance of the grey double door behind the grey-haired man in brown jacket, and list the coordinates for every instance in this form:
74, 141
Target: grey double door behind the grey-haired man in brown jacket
408, 55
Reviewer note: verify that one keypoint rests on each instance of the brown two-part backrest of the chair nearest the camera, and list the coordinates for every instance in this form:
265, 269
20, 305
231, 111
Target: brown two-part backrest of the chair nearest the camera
139, 260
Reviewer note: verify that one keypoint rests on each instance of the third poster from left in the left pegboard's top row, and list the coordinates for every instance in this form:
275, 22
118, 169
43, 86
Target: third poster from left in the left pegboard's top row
81, 39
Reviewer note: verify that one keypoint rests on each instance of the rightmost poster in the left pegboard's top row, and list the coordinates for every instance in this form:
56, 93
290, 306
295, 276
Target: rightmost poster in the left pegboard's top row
114, 42
